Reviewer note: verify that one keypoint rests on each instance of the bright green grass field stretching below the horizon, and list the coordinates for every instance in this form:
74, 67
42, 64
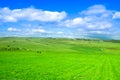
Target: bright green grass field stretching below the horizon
58, 59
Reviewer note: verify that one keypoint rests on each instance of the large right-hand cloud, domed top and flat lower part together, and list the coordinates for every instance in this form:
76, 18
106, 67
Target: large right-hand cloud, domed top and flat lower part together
95, 17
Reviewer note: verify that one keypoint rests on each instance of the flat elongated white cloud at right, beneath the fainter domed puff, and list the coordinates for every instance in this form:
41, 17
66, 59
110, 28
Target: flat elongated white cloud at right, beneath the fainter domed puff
90, 23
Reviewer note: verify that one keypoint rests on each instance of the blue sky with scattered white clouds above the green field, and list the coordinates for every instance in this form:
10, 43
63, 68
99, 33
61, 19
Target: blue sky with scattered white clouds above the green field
60, 18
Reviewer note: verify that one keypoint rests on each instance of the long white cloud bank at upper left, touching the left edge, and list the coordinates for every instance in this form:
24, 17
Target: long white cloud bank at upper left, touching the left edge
30, 14
